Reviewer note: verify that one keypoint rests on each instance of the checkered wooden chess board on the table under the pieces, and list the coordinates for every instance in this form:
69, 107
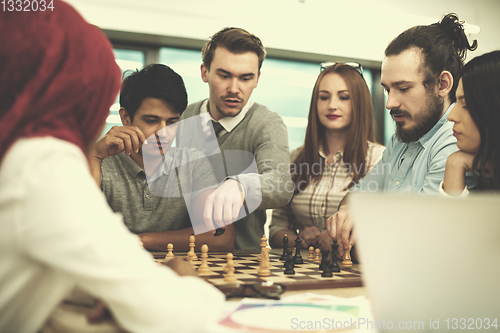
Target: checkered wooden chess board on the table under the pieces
307, 275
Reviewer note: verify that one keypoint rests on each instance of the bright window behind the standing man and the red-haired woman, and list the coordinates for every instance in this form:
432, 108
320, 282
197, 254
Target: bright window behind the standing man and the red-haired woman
285, 86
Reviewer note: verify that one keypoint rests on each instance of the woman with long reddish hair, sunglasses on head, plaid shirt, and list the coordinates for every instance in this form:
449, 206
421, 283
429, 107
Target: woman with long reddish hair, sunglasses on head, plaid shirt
339, 149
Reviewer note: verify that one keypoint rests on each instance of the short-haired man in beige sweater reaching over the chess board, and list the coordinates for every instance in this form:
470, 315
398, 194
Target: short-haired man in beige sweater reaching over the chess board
253, 140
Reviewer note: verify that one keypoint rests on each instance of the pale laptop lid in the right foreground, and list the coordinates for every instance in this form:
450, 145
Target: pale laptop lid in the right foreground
430, 263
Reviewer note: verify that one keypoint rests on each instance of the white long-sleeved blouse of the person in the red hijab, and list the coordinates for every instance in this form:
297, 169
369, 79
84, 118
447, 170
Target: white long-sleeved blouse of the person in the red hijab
57, 232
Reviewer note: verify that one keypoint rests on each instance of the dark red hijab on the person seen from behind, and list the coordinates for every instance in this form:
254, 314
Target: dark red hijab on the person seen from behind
58, 76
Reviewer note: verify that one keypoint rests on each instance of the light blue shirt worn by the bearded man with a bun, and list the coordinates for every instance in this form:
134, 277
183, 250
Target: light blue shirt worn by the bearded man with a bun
417, 167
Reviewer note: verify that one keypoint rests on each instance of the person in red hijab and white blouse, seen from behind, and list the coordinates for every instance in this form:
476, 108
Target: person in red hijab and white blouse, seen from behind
58, 78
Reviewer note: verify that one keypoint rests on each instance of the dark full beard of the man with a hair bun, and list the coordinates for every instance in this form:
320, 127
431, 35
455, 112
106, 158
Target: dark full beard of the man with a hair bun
424, 120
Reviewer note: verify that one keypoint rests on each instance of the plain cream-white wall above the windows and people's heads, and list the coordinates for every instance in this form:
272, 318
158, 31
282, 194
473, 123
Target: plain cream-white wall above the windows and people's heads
348, 28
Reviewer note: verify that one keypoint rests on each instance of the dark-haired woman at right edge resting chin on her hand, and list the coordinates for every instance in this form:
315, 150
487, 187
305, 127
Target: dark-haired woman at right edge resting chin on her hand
477, 119
